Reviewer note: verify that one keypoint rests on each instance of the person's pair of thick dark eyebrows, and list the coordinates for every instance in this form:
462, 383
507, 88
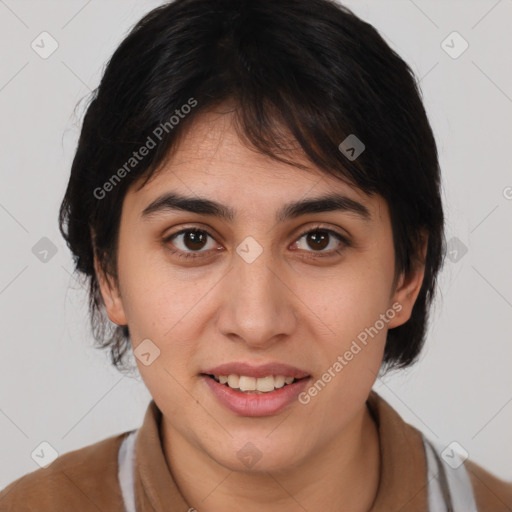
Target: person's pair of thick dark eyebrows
326, 203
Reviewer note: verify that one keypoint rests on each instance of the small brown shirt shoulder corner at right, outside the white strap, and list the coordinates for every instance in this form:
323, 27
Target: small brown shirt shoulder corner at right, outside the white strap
491, 493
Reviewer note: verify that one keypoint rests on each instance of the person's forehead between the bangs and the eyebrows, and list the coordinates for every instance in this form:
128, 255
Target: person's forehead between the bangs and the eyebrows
211, 161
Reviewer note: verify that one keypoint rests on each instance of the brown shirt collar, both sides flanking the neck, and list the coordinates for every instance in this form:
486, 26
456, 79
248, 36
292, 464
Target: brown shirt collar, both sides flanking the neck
403, 473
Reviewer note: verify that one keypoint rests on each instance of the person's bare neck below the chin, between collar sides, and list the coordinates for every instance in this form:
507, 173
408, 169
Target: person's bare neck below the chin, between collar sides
344, 471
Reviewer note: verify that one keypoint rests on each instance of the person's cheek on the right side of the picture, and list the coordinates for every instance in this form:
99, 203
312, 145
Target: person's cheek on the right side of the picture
352, 305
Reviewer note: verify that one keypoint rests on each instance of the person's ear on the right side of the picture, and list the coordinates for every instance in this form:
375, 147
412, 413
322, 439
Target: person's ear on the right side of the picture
409, 287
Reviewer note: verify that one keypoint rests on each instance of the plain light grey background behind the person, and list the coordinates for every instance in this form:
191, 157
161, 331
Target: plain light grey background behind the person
55, 387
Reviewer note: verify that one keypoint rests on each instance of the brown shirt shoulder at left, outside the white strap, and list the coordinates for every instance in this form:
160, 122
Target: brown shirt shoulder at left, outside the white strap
84, 479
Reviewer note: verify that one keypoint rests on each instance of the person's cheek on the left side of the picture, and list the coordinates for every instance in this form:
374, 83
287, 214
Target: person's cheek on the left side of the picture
170, 307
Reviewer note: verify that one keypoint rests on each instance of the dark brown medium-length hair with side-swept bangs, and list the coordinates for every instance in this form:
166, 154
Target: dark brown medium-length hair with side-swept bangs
311, 66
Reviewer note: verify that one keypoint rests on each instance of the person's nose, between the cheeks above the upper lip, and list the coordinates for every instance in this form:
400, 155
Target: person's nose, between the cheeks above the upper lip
258, 306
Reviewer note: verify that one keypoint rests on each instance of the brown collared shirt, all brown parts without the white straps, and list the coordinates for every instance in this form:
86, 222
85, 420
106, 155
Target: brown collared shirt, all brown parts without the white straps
87, 479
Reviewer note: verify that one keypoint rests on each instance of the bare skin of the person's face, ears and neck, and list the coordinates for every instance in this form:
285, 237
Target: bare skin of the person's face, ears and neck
290, 305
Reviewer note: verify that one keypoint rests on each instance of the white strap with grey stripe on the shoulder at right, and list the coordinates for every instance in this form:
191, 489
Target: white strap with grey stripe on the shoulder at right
449, 489
